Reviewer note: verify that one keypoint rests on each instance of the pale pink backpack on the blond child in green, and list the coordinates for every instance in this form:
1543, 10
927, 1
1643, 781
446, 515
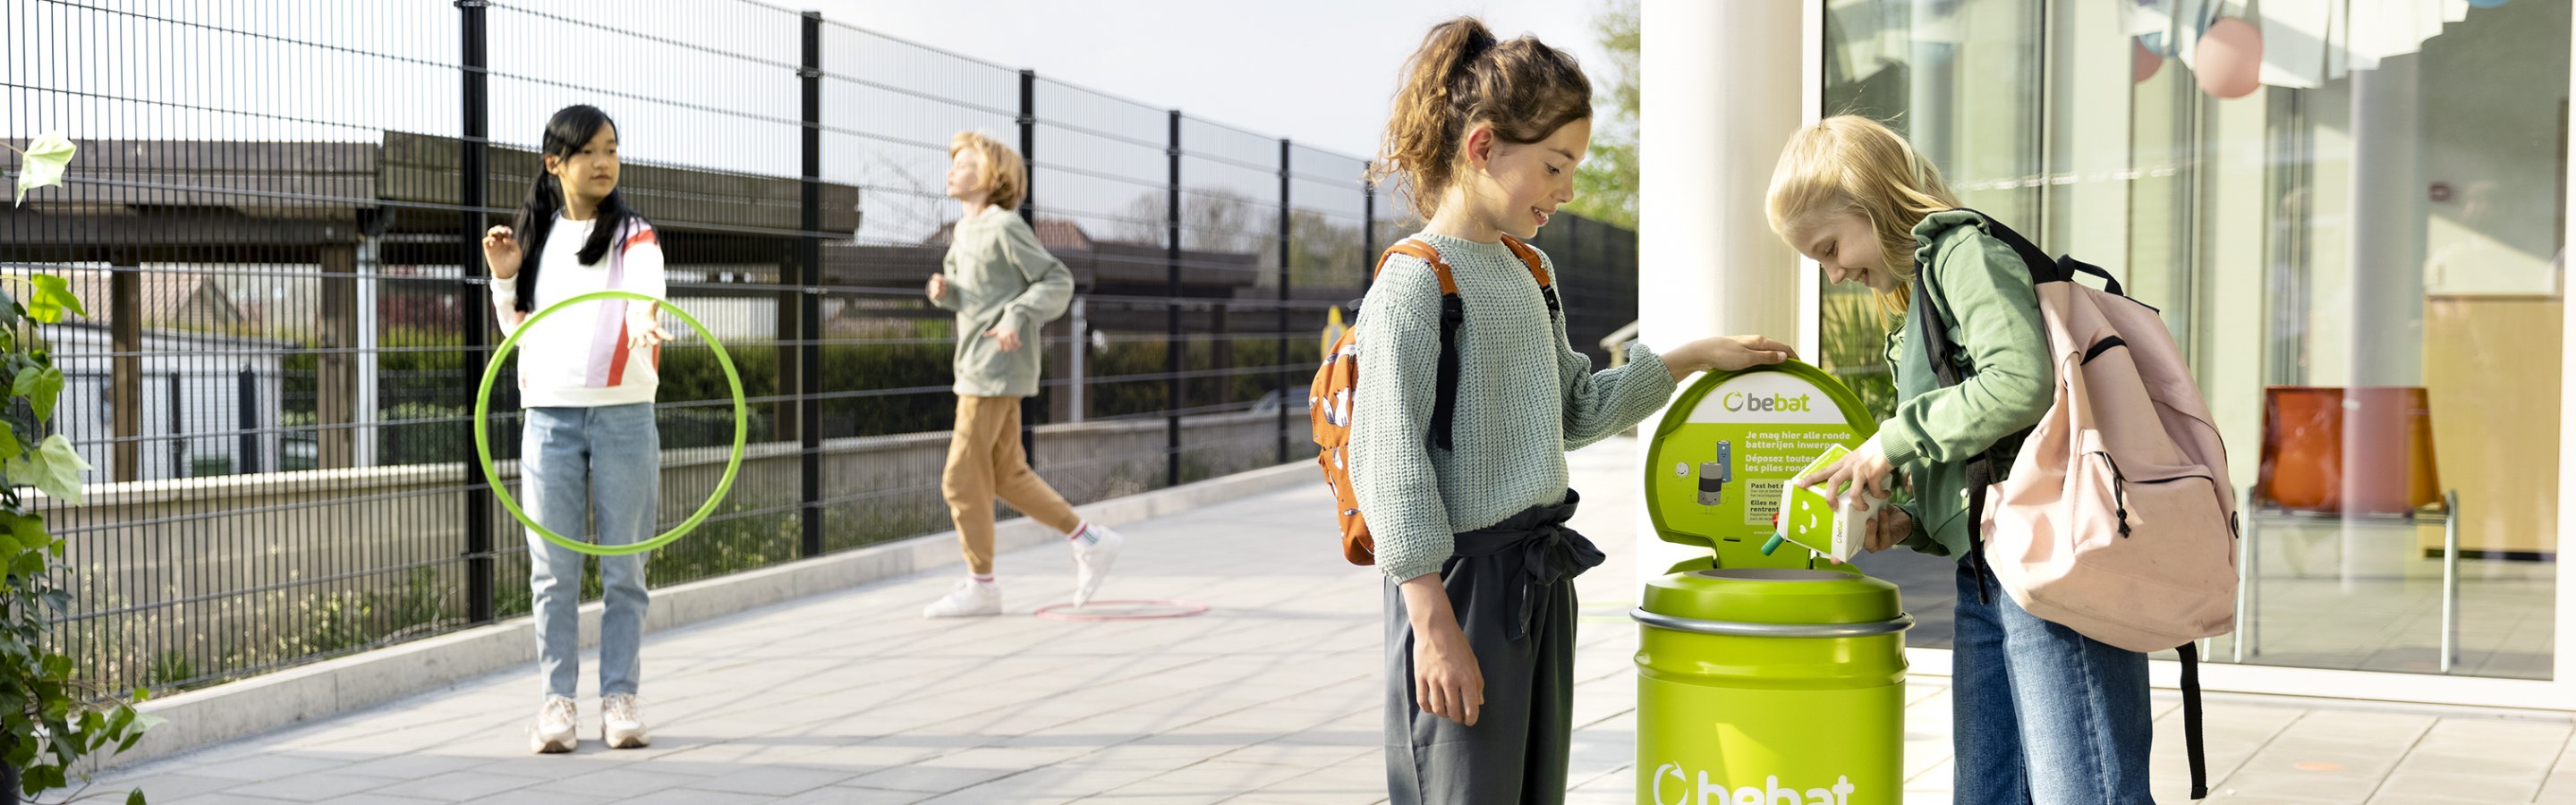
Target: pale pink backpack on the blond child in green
2119, 518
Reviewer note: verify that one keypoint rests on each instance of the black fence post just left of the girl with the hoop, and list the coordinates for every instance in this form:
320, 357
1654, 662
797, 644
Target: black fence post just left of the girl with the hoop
470, 197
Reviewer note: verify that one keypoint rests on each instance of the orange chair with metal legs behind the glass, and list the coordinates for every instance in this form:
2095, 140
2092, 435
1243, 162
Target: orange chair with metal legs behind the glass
2348, 454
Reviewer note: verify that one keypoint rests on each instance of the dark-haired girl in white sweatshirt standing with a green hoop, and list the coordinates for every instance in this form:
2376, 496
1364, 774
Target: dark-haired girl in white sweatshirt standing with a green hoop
589, 451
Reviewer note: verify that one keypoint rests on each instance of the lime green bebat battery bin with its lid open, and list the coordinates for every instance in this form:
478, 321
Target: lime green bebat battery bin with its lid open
1763, 680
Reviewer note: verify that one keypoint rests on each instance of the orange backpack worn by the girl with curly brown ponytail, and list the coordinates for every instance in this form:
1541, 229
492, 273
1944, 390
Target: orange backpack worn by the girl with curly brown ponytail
1333, 405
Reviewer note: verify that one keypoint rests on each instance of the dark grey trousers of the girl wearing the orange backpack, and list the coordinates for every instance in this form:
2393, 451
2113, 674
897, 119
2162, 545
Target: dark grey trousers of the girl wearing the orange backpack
1513, 590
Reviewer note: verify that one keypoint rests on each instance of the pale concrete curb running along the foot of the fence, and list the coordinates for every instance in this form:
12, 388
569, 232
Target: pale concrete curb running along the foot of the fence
341, 685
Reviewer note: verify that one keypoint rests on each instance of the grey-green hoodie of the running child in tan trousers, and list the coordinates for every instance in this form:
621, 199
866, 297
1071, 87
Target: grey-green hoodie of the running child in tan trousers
1001, 279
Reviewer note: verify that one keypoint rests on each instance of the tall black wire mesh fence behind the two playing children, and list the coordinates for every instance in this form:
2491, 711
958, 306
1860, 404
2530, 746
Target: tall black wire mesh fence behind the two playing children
274, 225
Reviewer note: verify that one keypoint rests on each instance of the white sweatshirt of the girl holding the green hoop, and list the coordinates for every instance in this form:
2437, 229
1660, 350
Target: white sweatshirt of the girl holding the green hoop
581, 359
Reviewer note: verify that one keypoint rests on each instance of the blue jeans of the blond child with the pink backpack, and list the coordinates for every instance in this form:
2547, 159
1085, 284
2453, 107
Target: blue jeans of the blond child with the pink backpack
2041, 714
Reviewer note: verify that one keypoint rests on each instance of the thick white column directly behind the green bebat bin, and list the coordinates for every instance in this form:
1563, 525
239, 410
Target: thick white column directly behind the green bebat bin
1727, 84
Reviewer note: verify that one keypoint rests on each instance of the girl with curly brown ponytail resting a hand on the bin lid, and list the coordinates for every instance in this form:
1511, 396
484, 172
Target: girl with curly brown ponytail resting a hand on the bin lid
1472, 523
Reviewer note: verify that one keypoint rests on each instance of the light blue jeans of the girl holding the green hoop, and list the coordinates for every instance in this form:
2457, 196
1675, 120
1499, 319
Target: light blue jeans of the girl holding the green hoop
586, 467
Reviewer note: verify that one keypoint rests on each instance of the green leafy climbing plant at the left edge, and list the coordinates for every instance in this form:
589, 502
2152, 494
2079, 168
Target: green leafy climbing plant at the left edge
53, 721
